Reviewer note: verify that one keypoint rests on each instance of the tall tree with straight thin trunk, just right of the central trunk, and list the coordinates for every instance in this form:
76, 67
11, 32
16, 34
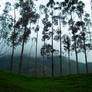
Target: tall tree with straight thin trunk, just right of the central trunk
59, 20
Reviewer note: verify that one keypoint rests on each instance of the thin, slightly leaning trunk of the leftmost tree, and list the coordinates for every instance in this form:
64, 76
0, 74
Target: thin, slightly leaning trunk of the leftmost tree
12, 56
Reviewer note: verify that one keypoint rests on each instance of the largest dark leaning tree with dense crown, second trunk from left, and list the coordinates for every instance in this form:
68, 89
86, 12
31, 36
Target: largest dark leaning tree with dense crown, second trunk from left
28, 14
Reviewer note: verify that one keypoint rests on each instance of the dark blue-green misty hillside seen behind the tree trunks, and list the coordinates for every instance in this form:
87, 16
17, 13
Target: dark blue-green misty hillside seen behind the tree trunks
29, 65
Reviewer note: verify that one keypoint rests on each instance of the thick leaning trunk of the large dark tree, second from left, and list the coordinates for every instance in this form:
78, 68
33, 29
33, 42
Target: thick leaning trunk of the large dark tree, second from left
21, 56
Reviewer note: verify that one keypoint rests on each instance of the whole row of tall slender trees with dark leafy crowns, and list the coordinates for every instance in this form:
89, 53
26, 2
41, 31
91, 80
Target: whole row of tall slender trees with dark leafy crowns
65, 22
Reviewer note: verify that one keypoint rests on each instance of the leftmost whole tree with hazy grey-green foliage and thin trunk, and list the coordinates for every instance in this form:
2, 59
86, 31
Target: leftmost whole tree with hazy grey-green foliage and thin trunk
8, 30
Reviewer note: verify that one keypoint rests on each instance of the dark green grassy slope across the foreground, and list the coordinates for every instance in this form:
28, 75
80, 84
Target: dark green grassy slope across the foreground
10, 82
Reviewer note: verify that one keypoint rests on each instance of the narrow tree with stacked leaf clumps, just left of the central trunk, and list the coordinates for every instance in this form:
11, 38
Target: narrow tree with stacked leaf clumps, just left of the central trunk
45, 33
